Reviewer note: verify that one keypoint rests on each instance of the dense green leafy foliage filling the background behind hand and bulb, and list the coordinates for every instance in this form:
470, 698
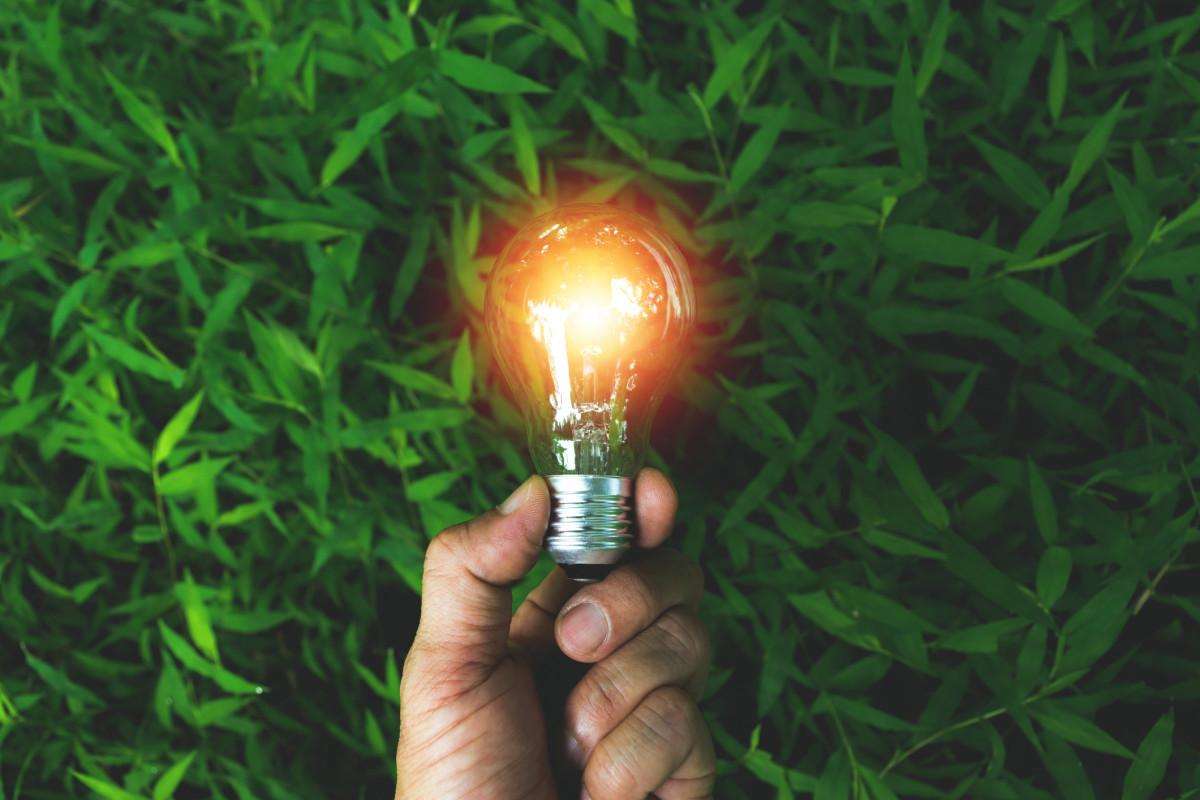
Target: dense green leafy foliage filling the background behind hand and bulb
938, 440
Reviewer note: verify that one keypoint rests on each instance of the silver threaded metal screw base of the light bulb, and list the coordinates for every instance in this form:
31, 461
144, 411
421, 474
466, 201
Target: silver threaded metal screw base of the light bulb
590, 524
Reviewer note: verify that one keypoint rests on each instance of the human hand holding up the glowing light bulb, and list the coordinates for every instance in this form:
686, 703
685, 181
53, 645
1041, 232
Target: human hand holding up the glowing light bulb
479, 683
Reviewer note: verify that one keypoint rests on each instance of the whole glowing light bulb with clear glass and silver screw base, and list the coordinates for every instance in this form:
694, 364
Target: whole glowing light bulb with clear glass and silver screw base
587, 310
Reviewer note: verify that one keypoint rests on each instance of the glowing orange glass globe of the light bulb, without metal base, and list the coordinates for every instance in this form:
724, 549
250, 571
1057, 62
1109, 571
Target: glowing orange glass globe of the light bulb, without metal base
586, 310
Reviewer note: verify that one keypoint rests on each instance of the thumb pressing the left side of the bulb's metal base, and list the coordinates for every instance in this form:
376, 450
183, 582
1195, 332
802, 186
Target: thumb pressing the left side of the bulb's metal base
470, 569
